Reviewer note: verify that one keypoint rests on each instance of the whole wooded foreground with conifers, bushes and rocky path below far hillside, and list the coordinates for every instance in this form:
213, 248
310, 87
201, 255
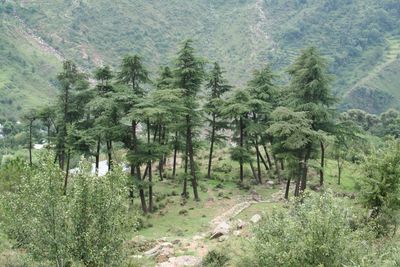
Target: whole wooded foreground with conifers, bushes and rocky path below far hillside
133, 170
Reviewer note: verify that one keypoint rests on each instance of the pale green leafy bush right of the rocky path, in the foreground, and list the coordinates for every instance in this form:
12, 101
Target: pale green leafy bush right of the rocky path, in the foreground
319, 231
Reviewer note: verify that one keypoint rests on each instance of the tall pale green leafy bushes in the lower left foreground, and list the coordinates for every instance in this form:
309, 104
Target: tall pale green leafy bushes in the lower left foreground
83, 226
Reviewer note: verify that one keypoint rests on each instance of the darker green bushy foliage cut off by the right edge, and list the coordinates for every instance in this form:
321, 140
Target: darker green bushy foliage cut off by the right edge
380, 189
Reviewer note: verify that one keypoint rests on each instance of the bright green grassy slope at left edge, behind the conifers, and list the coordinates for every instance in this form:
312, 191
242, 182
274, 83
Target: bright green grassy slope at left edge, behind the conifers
26, 71
